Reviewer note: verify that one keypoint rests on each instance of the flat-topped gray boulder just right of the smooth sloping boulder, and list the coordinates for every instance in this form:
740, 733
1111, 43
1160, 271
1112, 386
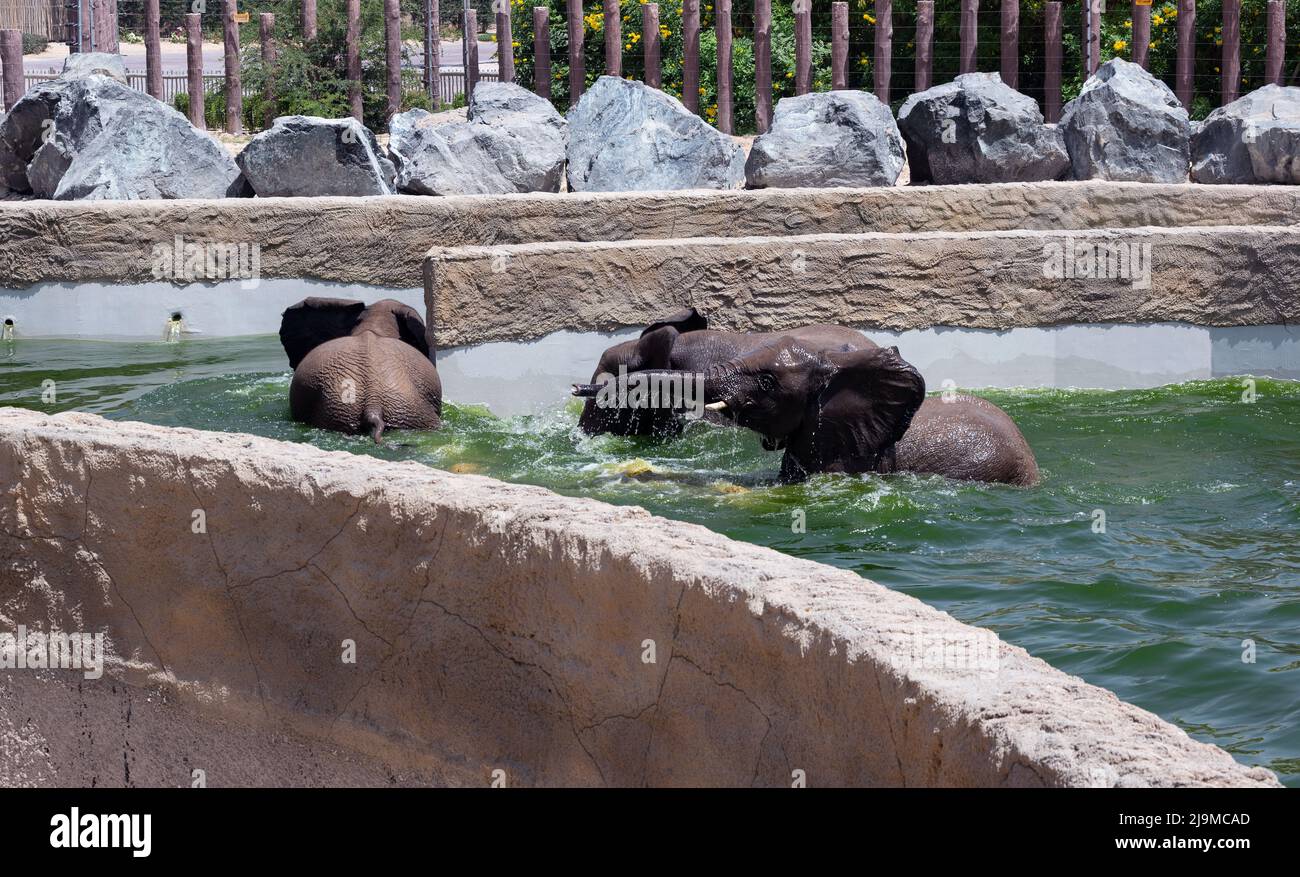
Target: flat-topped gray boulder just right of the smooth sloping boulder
838, 138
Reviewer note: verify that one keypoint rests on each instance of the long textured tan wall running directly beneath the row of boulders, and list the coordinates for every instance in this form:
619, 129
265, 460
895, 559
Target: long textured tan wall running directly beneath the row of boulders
383, 241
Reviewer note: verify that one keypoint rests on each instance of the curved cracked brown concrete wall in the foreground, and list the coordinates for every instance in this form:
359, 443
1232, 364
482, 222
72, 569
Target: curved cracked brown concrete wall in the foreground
502, 628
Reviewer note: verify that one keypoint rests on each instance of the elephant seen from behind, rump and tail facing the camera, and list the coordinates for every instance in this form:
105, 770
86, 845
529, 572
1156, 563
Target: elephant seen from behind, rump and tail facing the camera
361, 370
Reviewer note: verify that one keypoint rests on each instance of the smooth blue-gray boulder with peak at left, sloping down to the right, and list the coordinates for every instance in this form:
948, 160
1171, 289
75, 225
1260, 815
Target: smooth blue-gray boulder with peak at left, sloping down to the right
629, 137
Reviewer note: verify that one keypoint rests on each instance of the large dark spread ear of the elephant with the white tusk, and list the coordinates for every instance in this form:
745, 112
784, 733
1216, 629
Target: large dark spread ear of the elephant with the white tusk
868, 403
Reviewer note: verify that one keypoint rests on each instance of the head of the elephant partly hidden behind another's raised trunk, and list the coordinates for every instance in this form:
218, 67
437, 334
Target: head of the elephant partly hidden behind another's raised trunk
651, 353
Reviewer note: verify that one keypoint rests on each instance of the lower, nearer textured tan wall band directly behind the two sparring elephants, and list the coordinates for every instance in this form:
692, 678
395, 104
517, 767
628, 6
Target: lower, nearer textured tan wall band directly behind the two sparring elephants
987, 280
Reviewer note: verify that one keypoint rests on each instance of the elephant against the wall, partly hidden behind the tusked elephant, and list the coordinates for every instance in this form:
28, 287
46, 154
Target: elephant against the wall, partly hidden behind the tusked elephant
684, 344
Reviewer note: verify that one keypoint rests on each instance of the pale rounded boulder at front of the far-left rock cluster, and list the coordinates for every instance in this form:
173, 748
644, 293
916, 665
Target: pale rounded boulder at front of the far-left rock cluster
149, 154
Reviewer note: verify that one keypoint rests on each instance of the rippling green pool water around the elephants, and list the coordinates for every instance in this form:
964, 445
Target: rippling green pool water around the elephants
1201, 489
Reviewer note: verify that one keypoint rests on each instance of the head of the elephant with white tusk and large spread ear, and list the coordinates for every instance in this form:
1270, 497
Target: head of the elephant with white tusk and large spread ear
831, 411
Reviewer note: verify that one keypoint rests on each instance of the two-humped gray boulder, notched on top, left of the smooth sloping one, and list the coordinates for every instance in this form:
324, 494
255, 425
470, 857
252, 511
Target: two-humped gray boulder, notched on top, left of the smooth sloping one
513, 142
